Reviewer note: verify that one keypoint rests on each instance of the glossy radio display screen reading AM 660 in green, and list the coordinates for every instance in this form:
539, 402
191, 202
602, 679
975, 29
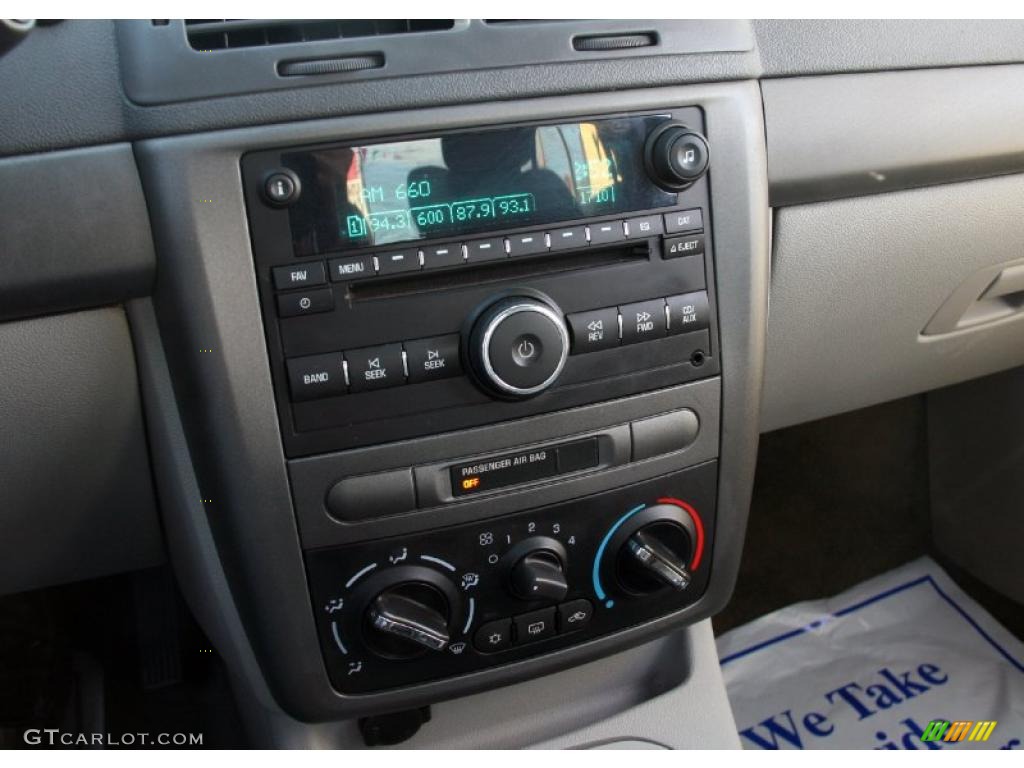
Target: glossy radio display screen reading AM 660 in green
464, 184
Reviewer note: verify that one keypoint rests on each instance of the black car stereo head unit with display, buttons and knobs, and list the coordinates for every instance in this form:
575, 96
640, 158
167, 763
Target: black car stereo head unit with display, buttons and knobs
428, 284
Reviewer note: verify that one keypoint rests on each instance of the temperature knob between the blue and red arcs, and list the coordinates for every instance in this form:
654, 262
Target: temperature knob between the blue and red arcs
652, 551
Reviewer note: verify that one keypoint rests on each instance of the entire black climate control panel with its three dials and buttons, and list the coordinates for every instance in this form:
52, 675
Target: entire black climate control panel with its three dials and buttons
399, 612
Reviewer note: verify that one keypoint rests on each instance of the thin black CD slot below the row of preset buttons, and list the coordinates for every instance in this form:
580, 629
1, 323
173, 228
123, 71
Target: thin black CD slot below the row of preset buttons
496, 272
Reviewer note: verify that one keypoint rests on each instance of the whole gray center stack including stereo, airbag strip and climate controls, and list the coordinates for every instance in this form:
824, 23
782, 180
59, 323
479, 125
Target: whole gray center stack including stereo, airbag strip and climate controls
495, 393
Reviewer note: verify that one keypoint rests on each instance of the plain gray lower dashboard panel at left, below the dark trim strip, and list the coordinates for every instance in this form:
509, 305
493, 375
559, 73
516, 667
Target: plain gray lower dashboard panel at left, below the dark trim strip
76, 493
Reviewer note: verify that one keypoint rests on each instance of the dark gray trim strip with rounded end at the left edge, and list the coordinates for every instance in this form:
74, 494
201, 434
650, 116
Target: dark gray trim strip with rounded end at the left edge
75, 232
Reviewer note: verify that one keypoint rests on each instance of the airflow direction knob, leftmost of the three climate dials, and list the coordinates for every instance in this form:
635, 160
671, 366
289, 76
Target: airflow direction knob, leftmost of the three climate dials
407, 619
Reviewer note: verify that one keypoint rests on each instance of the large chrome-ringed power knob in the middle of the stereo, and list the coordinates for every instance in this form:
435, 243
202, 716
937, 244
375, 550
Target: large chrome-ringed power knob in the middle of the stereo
519, 347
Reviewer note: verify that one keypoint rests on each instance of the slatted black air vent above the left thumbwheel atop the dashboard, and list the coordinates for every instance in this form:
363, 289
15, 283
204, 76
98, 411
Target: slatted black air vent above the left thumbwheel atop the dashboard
219, 34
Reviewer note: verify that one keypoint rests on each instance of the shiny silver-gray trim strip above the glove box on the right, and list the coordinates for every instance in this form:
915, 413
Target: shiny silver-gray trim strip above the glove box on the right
864, 135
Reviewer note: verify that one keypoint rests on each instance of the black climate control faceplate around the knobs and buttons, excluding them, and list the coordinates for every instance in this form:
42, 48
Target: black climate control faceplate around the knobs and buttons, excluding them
473, 559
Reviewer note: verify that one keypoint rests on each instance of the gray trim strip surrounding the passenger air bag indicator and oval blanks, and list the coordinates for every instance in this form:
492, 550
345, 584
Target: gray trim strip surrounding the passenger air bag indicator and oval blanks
313, 477
